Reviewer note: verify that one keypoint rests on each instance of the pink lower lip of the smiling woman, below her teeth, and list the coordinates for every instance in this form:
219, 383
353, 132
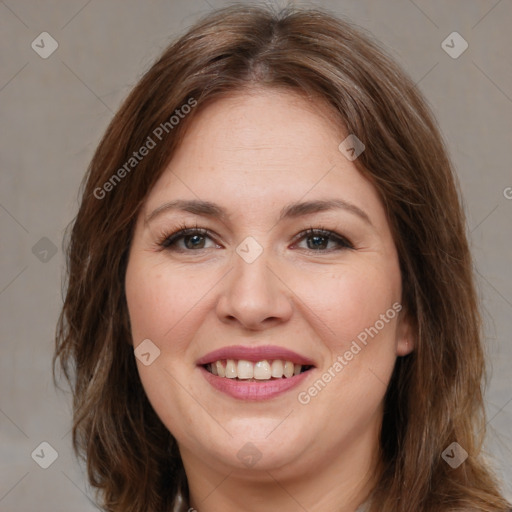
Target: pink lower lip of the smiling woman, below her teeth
244, 390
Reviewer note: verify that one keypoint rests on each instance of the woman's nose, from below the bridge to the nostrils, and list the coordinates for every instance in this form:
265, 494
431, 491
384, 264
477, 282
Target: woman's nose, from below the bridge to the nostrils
254, 296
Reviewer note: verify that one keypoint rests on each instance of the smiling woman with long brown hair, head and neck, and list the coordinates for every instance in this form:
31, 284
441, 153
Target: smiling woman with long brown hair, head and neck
270, 302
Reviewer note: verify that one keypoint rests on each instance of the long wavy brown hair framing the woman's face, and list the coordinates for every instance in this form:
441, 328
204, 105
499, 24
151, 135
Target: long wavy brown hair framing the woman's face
435, 394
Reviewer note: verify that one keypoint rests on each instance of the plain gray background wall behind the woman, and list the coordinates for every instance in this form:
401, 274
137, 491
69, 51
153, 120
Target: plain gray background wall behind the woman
53, 112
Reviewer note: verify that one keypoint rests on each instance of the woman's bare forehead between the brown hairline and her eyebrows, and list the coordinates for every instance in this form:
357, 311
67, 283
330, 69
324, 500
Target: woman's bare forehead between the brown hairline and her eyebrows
264, 145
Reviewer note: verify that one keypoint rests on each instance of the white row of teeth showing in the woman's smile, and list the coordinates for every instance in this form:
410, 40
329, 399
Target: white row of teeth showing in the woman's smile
262, 370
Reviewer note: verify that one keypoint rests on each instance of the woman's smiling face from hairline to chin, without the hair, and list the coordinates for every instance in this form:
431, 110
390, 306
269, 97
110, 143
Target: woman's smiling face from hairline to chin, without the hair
254, 293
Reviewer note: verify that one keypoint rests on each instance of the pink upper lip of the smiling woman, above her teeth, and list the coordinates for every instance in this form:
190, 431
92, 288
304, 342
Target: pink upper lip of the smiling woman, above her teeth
254, 354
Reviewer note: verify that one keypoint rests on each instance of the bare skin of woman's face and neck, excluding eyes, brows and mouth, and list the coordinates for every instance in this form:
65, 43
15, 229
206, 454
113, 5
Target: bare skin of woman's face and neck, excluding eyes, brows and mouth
252, 153
